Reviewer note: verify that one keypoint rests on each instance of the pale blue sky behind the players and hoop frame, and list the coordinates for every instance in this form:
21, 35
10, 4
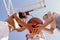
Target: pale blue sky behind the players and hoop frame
51, 5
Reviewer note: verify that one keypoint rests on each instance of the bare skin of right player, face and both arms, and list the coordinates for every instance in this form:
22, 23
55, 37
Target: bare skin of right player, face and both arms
52, 23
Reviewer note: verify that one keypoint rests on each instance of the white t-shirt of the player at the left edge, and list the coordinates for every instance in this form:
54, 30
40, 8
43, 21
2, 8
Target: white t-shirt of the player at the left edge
4, 31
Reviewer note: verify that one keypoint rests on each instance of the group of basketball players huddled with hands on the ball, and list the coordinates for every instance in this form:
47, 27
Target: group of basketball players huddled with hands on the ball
34, 25
